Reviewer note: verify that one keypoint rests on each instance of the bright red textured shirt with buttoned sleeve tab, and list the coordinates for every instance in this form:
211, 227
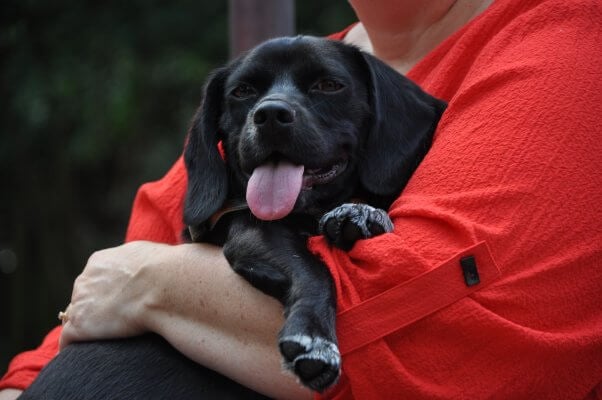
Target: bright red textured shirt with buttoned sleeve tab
513, 180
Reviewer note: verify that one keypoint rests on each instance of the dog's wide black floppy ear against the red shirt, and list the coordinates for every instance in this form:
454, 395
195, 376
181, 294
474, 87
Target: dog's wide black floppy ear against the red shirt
404, 120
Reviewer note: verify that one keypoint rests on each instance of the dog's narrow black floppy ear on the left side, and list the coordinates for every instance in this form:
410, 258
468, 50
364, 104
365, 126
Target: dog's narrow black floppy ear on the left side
207, 177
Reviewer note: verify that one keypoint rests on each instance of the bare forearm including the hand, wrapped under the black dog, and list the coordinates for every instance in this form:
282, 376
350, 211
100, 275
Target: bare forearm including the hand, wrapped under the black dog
189, 295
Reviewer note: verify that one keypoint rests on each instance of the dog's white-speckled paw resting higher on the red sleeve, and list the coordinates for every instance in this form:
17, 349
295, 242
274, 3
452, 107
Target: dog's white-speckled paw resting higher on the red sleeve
350, 222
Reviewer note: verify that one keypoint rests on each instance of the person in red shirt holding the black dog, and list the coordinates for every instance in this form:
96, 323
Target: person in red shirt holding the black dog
489, 286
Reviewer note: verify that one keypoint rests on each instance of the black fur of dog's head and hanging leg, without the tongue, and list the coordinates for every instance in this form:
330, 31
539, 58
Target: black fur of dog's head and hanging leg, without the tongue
316, 103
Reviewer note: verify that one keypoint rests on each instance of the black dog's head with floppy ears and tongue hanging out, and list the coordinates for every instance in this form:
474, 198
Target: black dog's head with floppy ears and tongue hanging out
304, 123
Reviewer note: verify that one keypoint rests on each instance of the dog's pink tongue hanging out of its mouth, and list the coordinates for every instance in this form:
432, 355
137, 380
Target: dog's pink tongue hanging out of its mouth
273, 189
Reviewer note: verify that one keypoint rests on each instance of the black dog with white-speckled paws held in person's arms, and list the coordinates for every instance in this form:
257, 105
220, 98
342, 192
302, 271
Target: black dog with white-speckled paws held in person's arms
306, 125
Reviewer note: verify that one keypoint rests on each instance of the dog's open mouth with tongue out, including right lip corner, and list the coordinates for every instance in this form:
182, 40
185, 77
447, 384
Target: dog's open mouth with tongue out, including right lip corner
274, 186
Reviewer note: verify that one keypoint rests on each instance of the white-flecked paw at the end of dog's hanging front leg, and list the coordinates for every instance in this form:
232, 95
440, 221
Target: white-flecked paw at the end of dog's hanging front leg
316, 361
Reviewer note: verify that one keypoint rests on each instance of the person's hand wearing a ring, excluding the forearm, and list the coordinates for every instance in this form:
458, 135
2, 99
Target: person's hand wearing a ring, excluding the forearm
109, 295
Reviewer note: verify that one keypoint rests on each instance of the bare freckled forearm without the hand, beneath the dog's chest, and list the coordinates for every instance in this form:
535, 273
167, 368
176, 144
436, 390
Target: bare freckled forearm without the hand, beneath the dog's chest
216, 318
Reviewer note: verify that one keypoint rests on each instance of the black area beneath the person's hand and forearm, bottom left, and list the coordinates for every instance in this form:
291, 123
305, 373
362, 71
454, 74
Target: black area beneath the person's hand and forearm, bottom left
145, 368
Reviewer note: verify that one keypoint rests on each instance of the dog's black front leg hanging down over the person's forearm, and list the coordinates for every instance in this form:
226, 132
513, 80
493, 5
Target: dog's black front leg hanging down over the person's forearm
274, 259
